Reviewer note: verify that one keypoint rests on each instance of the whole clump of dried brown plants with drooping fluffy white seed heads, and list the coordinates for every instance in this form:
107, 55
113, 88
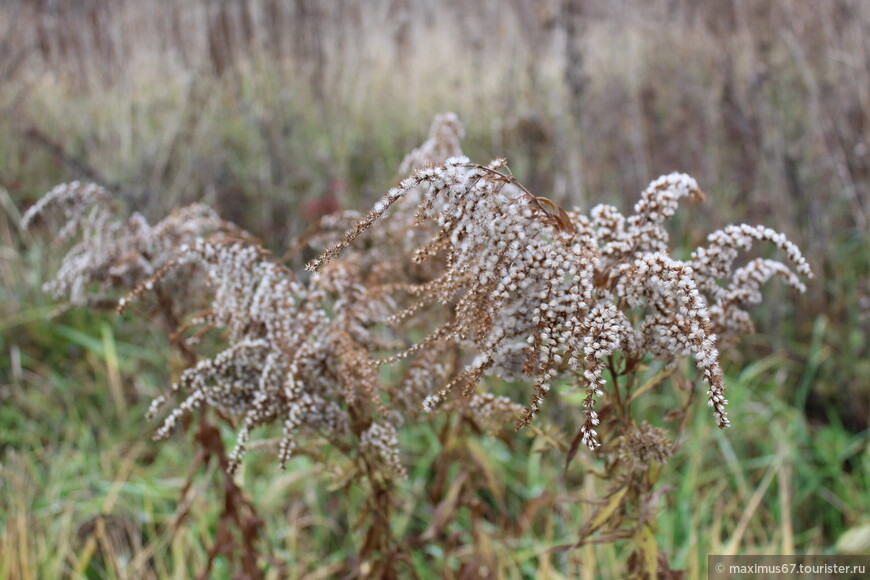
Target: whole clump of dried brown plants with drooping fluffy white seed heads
497, 281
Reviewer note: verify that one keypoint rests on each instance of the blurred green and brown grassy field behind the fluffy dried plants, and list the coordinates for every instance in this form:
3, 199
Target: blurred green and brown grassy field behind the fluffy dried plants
275, 112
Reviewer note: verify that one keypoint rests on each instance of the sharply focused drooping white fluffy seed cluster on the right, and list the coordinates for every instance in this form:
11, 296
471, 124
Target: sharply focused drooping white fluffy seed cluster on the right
536, 291
